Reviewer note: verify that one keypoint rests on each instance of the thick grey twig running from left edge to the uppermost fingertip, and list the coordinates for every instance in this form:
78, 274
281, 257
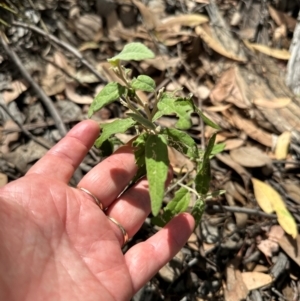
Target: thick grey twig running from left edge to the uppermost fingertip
43, 97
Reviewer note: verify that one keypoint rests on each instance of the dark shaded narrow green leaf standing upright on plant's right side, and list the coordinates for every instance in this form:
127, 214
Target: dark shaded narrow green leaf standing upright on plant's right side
203, 176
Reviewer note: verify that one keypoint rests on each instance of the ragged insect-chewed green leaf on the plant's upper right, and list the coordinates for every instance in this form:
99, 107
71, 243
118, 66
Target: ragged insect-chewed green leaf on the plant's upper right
181, 107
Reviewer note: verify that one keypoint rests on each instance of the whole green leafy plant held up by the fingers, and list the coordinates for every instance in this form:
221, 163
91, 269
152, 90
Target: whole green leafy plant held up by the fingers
152, 141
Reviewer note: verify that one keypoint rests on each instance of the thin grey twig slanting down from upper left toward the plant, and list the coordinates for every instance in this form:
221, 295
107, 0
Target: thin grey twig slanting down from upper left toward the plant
64, 45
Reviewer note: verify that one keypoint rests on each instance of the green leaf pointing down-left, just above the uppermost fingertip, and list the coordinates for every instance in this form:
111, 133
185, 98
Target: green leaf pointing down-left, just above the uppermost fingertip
107, 95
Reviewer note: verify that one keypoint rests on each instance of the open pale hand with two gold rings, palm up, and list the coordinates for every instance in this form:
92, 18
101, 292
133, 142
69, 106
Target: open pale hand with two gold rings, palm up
56, 243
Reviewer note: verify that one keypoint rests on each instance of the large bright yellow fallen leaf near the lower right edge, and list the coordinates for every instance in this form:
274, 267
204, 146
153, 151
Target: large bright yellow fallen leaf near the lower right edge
270, 200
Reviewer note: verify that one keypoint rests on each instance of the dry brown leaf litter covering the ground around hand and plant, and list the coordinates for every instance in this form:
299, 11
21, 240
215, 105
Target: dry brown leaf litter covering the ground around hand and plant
238, 80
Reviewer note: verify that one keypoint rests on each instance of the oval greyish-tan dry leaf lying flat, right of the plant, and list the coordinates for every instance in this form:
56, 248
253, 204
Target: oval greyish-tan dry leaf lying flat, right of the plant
250, 156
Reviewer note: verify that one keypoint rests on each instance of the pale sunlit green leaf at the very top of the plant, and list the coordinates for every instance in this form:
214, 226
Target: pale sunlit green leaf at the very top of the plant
133, 52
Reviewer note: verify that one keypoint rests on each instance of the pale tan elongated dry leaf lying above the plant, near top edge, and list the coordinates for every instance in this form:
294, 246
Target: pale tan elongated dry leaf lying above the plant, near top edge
190, 20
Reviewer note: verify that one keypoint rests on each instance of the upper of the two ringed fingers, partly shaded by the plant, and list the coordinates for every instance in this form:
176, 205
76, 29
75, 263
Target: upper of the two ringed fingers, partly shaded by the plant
110, 177
